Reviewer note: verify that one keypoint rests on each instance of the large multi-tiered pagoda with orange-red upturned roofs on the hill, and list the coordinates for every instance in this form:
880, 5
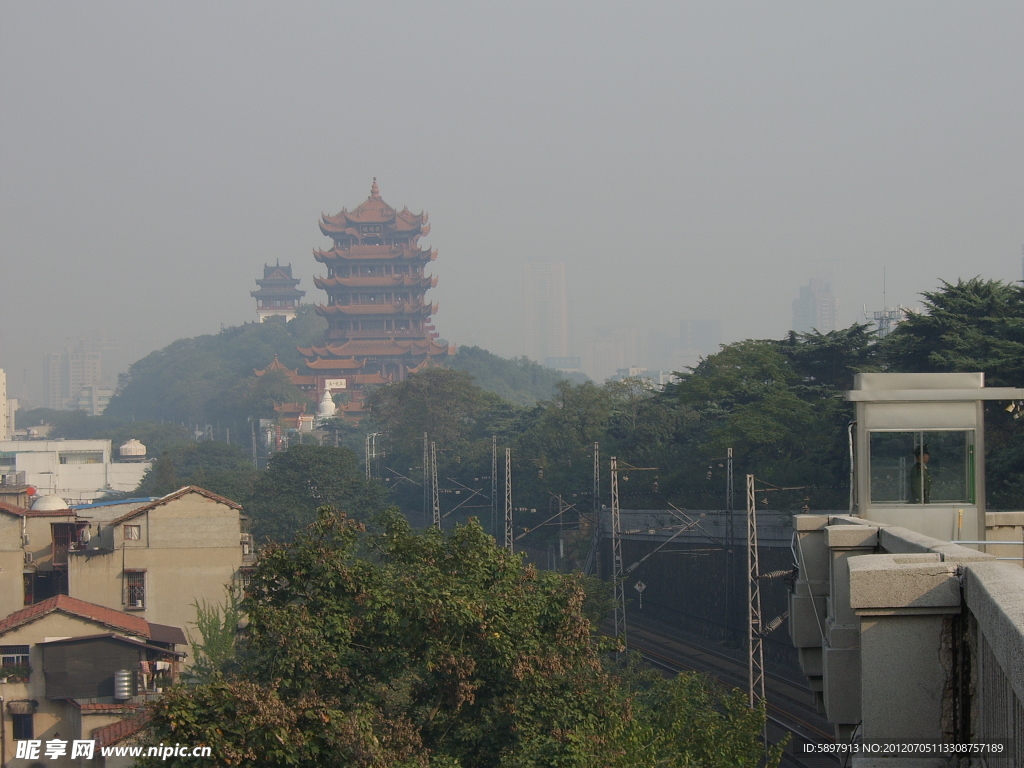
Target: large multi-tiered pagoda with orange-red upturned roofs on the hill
378, 320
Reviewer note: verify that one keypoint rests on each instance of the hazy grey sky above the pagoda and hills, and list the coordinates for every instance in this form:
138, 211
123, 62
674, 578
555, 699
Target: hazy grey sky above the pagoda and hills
685, 160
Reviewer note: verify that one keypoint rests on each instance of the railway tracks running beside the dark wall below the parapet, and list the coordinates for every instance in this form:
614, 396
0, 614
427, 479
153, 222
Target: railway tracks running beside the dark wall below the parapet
790, 711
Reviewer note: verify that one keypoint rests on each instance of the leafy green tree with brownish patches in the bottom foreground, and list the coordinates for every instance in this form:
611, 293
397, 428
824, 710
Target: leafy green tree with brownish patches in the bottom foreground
398, 649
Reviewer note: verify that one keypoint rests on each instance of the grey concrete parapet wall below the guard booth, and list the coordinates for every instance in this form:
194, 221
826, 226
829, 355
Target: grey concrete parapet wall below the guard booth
879, 615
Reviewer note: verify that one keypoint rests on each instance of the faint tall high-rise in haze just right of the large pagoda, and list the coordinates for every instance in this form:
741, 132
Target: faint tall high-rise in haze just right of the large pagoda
546, 314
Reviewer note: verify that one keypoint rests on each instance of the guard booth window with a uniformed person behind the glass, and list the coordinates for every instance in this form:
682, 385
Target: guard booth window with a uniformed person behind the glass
922, 467
